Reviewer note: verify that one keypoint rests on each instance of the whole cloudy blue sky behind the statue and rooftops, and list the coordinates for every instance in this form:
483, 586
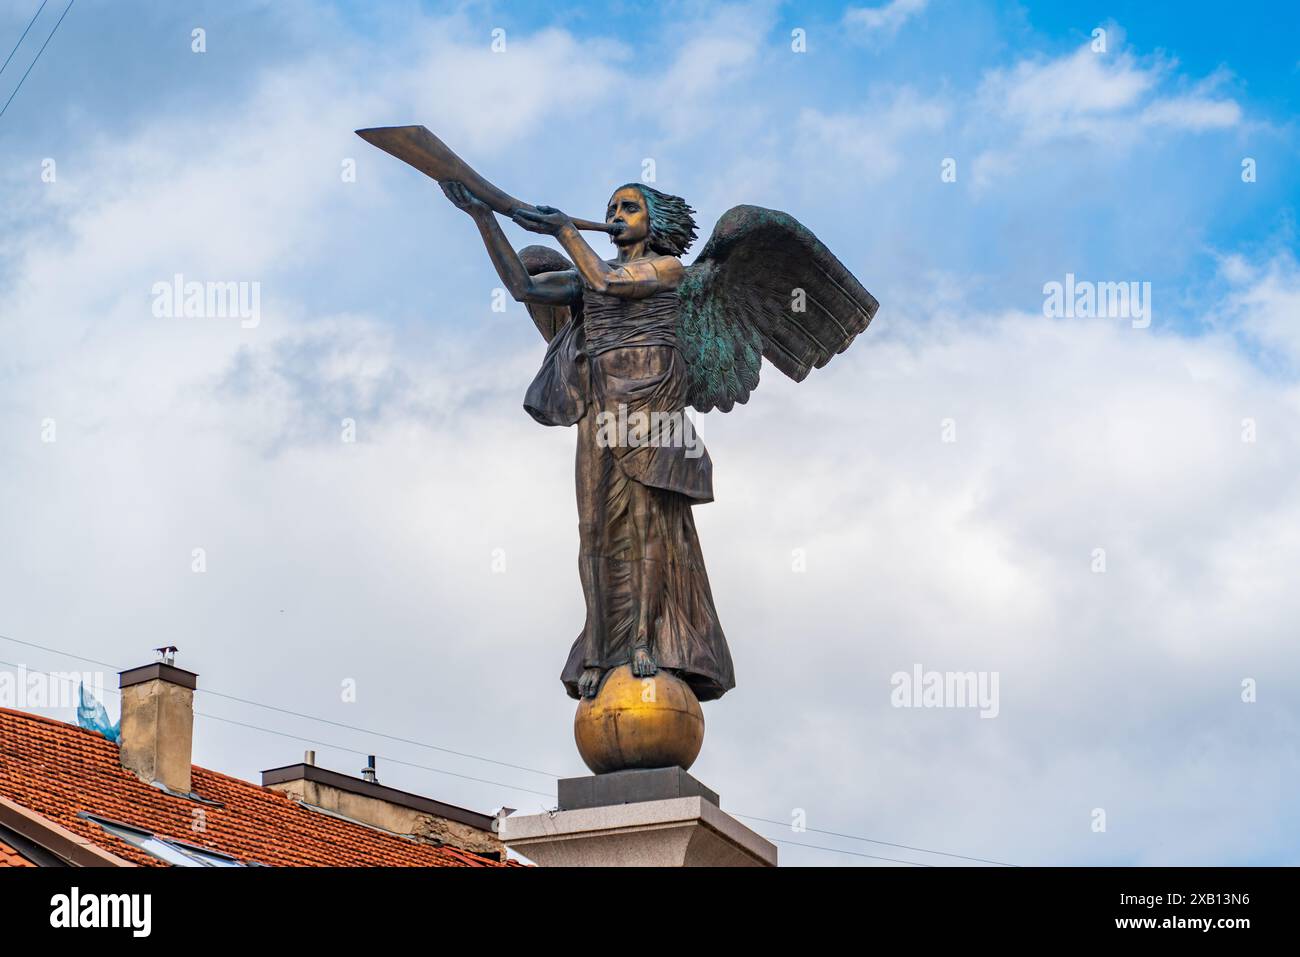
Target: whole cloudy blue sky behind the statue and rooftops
374, 561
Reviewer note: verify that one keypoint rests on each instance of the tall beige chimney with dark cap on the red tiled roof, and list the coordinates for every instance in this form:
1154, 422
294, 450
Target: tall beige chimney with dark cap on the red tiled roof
158, 722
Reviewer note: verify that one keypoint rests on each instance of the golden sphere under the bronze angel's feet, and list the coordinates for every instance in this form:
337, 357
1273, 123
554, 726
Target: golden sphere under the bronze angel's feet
639, 722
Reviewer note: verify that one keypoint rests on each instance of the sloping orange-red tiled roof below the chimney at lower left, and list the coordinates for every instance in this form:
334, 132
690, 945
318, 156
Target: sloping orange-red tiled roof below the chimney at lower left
60, 770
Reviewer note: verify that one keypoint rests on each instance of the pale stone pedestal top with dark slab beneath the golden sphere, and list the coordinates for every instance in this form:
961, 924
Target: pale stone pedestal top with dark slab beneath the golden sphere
648, 819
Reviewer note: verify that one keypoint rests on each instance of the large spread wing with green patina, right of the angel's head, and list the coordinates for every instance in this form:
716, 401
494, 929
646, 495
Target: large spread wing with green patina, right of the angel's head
764, 287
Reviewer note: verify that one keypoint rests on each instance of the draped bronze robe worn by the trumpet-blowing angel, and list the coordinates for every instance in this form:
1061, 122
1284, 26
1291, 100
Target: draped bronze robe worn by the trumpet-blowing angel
618, 365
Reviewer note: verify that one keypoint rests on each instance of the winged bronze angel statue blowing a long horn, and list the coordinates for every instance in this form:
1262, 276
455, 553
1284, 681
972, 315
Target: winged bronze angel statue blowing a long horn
639, 339
